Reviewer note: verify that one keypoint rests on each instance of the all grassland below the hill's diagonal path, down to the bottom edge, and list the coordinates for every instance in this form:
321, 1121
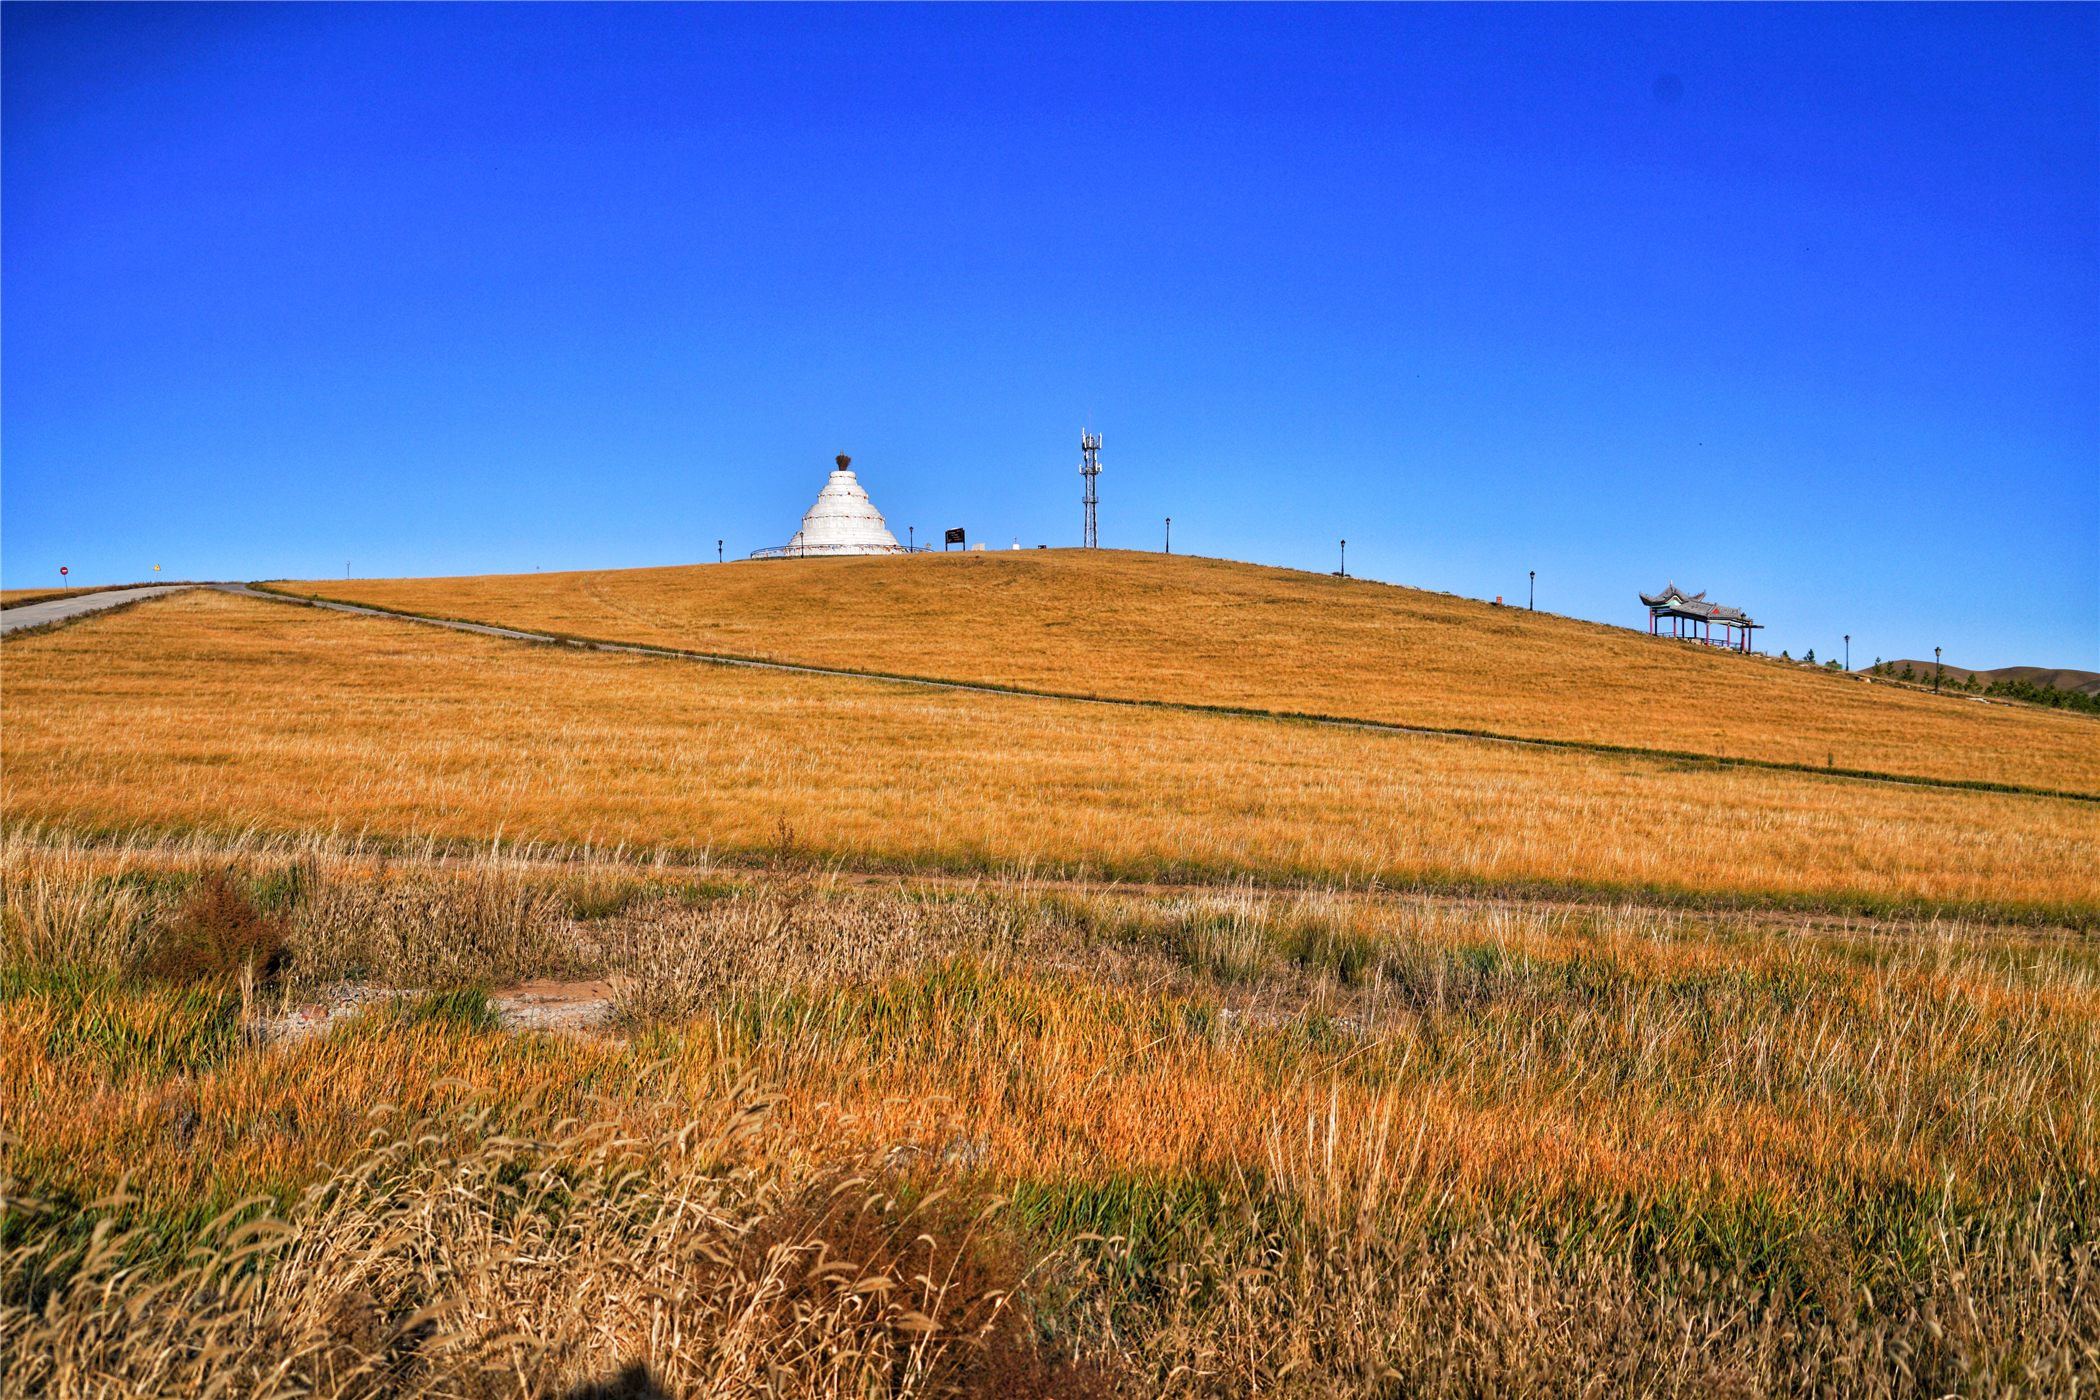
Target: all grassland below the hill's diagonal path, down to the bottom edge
1003, 1046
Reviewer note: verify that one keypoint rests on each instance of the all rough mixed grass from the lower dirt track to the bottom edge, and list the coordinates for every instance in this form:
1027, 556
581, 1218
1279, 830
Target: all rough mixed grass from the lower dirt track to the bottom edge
1020, 1141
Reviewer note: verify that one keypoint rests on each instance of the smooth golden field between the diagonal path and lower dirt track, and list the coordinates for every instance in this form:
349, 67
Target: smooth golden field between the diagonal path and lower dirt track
224, 713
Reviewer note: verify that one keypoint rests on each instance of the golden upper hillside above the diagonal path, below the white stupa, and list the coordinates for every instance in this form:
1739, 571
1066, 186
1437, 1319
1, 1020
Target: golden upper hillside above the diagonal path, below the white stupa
1217, 633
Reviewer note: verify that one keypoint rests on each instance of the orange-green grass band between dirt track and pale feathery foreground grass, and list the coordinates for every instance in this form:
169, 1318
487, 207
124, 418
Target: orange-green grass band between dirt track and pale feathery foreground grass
1532, 1055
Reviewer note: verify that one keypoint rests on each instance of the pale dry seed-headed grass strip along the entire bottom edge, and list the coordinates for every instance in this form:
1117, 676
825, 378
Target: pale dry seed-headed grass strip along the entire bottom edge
461, 1263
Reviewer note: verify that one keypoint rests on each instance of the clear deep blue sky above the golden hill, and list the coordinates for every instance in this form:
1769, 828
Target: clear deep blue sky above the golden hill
1797, 305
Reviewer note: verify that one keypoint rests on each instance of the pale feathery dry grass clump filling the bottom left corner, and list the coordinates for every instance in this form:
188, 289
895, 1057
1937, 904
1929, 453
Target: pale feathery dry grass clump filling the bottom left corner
455, 1260
